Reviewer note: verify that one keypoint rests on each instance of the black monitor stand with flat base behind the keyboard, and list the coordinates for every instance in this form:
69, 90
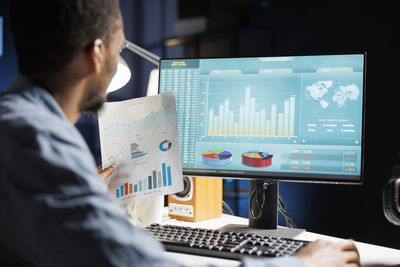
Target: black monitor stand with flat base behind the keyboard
263, 212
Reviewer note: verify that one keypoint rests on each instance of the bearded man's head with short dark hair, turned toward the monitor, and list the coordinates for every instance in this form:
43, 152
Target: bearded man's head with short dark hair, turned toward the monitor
50, 34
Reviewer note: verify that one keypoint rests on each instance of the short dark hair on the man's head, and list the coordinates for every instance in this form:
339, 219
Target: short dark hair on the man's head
48, 34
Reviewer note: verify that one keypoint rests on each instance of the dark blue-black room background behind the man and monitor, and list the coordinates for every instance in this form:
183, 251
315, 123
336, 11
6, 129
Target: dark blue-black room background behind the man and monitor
279, 27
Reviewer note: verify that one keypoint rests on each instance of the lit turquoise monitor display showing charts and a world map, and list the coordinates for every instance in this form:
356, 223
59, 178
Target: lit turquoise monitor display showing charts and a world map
298, 118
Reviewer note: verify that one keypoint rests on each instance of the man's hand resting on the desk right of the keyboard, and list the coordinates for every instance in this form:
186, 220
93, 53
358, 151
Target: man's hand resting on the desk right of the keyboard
328, 254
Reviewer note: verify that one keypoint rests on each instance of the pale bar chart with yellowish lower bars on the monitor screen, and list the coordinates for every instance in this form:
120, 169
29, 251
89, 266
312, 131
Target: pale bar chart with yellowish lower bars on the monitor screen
276, 119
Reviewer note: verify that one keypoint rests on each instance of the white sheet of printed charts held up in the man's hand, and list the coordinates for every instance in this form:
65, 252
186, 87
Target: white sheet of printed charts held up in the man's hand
141, 136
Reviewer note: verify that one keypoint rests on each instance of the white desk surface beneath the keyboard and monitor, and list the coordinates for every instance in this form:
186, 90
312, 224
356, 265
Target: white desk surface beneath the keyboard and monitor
371, 255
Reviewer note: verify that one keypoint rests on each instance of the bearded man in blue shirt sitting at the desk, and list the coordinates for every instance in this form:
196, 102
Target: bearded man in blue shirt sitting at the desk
54, 209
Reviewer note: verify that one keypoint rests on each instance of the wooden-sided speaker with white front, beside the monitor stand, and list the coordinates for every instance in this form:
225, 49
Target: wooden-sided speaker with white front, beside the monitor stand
200, 199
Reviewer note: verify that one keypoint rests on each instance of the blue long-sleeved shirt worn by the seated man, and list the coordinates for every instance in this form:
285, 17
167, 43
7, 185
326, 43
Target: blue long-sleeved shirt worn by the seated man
54, 209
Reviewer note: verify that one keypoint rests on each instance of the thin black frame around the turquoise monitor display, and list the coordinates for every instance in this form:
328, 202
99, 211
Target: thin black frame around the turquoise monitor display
286, 177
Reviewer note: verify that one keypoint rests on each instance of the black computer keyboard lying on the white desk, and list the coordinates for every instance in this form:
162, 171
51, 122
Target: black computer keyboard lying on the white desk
221, 244
